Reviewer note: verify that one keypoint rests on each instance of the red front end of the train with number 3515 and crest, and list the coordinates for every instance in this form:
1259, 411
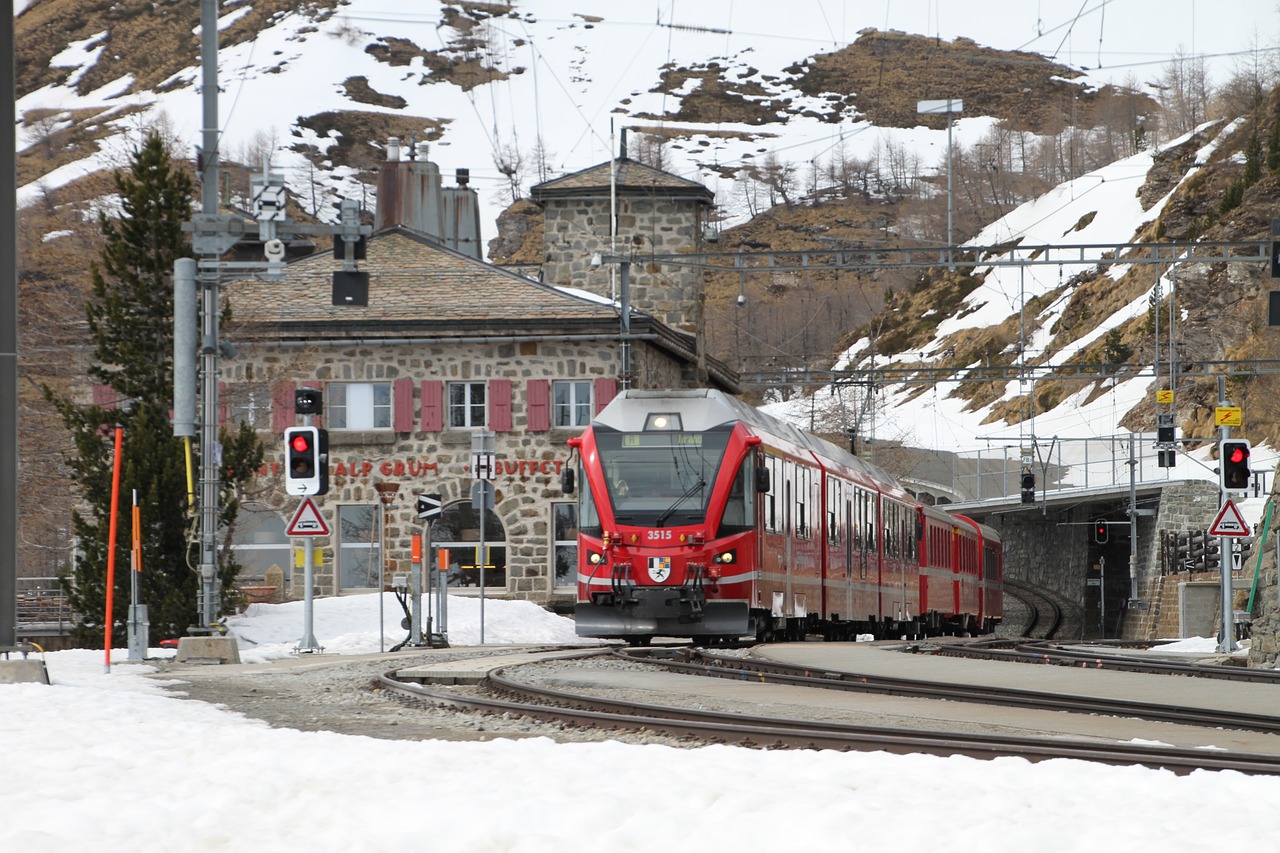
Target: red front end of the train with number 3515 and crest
666, 523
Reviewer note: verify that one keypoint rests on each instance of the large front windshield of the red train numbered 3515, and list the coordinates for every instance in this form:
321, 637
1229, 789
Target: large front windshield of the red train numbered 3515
661, 478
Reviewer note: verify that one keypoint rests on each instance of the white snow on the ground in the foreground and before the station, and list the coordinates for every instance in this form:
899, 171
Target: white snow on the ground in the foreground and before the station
109, 761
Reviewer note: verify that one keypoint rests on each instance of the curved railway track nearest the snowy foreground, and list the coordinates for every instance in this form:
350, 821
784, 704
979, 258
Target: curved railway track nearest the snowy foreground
506, 692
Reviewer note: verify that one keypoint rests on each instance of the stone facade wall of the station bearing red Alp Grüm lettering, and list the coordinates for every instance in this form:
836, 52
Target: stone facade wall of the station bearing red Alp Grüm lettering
437, 463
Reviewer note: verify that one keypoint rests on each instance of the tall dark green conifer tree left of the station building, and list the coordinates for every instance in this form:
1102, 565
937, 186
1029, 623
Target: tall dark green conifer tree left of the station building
131, 326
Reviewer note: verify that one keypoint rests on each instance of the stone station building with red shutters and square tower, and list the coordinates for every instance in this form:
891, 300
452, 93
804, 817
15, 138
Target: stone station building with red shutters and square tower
449, 346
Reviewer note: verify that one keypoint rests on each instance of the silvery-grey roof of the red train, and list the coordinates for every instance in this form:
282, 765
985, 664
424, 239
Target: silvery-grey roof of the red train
703, 409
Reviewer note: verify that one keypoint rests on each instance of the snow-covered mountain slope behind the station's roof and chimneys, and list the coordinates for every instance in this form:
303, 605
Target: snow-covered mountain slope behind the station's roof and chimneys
520, 93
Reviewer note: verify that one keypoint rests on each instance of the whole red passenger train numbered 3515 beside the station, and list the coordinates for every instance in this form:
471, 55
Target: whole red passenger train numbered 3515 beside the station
703, 518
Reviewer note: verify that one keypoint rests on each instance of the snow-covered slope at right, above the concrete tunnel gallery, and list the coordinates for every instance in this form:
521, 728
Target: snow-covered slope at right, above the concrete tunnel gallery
1081, 431
